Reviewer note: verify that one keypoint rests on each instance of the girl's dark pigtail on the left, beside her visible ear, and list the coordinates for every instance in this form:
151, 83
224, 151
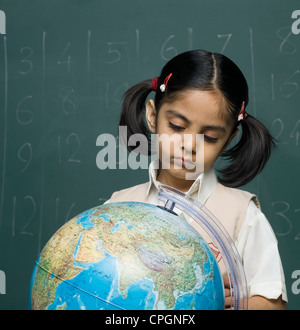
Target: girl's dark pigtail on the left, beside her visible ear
133, 108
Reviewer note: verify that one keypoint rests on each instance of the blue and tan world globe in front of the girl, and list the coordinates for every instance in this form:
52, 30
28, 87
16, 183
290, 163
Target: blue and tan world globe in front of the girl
126, 256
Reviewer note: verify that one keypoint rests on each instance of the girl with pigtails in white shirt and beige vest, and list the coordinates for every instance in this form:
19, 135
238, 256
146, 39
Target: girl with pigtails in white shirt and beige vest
199, 92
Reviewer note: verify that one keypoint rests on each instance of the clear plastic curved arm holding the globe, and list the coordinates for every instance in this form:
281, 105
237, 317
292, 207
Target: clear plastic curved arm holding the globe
198, 214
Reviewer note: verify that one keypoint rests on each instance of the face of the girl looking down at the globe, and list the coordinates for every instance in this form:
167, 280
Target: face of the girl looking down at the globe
194, 112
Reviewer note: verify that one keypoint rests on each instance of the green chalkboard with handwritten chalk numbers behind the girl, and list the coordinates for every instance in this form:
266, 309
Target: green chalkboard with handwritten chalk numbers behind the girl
64, 66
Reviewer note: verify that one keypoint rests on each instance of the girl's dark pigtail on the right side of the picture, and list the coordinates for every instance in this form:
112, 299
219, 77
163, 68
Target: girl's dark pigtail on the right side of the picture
249, 156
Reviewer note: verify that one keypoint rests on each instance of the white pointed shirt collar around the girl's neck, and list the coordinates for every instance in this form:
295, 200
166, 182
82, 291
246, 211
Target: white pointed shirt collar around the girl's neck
201, 189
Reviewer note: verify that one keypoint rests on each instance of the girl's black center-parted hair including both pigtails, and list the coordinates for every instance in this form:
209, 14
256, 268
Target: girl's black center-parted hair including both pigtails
206, 71
